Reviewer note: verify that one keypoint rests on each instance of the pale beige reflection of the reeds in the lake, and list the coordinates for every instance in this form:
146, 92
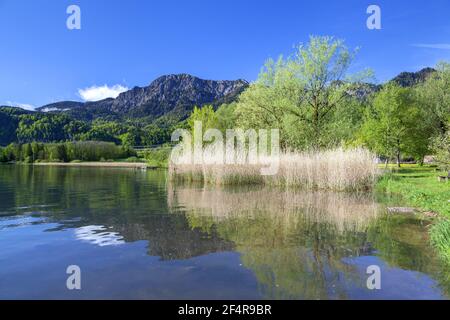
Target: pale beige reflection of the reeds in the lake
352, 212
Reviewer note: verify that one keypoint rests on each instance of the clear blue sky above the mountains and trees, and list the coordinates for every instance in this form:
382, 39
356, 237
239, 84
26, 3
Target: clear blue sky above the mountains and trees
130, 43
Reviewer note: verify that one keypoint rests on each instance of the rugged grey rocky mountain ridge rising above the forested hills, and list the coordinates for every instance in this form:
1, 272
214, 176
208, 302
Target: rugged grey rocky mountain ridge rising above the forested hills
170, 95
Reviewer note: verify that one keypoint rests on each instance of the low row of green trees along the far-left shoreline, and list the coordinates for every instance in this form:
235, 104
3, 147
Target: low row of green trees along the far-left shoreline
64, 152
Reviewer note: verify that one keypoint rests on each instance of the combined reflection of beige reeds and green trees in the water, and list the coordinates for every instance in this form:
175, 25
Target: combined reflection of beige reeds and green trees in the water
295, 242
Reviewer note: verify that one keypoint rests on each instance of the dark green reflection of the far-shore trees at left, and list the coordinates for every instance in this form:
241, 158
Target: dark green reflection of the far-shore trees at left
98, 190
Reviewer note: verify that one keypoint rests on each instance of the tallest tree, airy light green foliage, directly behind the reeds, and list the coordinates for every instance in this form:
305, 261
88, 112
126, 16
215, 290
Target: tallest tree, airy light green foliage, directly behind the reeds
299, 95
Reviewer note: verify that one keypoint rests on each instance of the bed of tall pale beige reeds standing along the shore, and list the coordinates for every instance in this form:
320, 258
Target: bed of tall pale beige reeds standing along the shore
338, 169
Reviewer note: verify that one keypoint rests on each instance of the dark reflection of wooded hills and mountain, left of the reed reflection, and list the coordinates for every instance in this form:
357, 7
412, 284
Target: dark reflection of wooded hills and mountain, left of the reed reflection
130, 204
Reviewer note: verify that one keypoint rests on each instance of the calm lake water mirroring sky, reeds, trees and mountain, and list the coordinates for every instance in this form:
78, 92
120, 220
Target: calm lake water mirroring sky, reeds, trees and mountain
135, 236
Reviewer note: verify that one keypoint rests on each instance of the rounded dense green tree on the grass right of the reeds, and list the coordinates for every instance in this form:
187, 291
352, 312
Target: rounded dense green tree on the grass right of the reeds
394, 125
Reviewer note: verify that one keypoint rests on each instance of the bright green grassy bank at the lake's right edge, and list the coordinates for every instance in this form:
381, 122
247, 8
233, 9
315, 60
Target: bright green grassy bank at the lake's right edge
420, 188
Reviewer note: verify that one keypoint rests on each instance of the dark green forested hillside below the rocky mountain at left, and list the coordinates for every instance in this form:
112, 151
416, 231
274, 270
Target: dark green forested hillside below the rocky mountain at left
22, 126
